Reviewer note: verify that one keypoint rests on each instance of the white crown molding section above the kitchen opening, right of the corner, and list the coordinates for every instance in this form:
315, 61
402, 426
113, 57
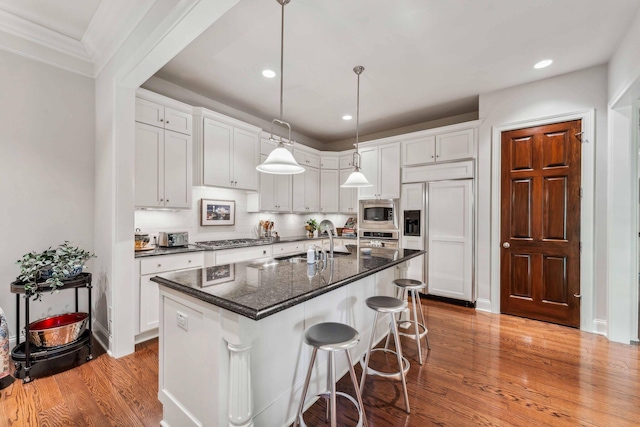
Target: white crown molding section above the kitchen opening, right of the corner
112, 23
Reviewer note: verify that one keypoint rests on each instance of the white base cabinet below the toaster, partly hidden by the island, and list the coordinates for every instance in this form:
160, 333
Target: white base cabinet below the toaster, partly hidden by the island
148, 295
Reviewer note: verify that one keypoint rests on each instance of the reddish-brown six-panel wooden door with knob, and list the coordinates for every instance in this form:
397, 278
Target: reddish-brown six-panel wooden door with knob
540, 223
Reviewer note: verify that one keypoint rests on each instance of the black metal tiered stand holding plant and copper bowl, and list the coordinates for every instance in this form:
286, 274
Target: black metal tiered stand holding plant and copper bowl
25, 354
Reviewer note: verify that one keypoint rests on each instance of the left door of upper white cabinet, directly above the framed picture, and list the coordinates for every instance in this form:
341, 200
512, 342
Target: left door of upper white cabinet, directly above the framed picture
217, 151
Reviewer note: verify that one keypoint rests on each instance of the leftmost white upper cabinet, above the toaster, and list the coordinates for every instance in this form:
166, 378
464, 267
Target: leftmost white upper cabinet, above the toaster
163, 157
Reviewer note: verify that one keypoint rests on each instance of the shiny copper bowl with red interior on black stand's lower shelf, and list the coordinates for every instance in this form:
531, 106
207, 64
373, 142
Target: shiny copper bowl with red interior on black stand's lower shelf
58, 330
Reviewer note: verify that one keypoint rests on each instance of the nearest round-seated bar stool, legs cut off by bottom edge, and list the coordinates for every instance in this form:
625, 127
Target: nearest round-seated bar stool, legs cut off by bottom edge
332, 337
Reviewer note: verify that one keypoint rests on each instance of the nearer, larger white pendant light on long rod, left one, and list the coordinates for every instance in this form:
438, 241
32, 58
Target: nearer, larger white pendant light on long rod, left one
280, 161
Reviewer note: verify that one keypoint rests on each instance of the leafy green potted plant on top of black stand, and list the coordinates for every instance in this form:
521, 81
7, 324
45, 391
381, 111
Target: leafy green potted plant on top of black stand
51, 267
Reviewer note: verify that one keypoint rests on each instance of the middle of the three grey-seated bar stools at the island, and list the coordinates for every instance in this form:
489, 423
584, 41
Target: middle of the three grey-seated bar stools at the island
391, 306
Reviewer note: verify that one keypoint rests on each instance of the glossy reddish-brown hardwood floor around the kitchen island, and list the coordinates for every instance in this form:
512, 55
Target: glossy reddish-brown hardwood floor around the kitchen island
482, 369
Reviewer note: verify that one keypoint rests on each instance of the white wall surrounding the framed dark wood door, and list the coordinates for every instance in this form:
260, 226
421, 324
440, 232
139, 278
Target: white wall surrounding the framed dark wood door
568, 93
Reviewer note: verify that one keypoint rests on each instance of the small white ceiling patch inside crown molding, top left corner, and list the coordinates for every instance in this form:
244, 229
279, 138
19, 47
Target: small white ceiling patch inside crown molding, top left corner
68, 17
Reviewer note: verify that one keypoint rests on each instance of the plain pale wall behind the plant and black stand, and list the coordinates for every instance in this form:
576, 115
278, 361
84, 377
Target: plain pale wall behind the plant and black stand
46, 182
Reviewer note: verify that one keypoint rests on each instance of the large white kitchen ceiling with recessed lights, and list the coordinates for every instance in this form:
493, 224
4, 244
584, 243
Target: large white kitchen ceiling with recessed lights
423, 59
